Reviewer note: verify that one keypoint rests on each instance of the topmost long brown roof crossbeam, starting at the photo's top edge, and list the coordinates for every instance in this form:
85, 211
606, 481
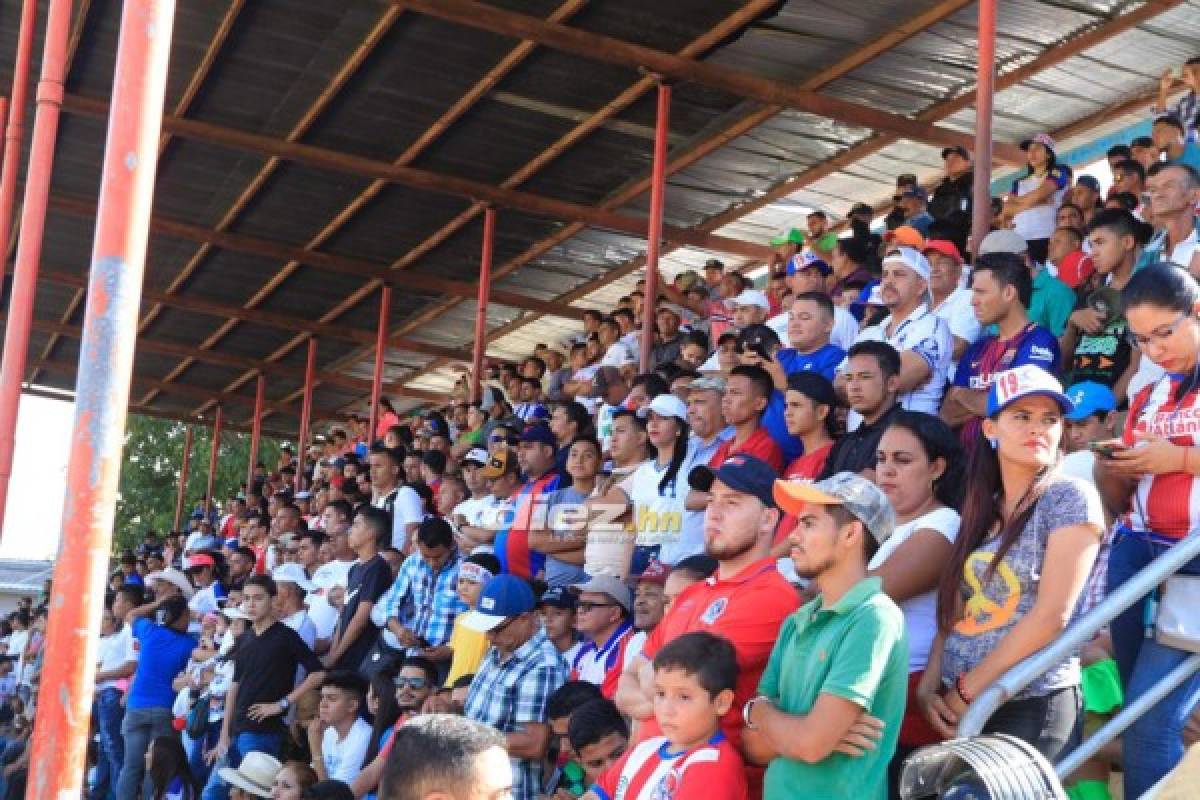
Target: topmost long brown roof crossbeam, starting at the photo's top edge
587, 45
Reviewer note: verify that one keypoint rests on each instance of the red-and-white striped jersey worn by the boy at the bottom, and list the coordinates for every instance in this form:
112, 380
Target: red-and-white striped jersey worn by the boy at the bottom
652, 772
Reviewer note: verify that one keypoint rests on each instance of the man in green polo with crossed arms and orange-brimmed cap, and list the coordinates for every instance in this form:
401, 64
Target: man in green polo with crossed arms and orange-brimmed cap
841, 659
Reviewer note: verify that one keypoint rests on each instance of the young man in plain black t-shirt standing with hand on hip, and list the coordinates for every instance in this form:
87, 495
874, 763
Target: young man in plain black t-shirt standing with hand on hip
263, 687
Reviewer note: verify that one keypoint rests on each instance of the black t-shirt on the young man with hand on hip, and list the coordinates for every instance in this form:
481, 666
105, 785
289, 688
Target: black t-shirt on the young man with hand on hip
266, 671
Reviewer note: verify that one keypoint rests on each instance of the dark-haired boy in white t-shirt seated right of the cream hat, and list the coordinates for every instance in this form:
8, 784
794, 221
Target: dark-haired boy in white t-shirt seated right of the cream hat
340, 737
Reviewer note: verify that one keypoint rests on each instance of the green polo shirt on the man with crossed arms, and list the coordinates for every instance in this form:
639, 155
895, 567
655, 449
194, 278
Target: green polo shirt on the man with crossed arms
856, 649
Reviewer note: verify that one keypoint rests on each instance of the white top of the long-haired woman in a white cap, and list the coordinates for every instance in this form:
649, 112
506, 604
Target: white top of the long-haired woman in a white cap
661, 516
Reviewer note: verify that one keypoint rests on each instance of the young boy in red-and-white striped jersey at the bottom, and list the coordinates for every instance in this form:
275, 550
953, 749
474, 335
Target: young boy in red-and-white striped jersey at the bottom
694, 679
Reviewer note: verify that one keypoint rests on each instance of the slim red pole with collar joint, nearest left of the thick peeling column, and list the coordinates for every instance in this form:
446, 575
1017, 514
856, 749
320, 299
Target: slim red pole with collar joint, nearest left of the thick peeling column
33, 225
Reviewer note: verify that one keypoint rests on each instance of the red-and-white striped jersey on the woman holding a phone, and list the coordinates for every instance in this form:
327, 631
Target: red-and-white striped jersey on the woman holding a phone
1169, 504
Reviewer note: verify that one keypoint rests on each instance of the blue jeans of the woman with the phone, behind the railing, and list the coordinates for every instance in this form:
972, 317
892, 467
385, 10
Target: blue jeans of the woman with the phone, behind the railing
1153, 745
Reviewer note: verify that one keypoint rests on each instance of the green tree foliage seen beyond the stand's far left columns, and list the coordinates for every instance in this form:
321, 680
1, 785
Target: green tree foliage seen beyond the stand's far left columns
154, 452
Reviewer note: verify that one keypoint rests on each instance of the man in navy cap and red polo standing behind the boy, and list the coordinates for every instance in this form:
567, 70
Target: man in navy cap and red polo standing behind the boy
746, 600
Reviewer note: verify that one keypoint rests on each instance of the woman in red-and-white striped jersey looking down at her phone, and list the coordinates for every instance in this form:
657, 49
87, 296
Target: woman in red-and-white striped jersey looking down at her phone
1149, 476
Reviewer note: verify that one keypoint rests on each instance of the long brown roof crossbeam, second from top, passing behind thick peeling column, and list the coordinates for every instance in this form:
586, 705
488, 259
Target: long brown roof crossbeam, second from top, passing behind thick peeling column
425, 181
